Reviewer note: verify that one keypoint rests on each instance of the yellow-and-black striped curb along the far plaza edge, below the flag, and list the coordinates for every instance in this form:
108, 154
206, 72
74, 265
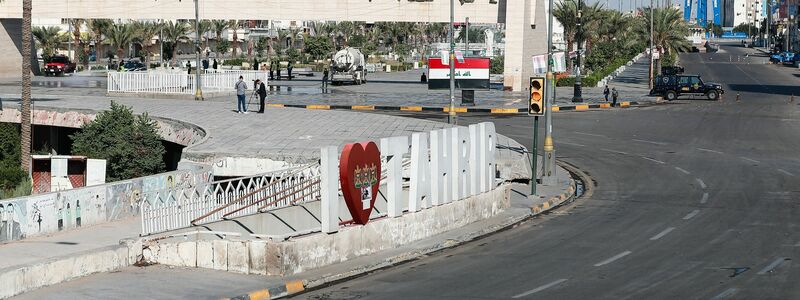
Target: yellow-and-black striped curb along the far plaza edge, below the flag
499, 110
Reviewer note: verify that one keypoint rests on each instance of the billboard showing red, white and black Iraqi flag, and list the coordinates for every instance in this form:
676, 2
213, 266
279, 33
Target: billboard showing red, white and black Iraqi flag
471, 74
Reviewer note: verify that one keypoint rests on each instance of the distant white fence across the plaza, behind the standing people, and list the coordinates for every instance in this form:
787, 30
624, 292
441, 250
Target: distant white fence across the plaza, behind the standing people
167, 82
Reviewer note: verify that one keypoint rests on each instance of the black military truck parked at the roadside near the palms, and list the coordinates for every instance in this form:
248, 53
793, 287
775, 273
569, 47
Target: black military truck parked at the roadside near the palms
673, 86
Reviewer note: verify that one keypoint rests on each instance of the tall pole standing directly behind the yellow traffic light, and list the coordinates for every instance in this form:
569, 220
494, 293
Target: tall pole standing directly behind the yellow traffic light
548, 174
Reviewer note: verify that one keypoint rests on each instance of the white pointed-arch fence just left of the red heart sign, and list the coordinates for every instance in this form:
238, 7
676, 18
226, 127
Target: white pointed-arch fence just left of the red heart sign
177, 208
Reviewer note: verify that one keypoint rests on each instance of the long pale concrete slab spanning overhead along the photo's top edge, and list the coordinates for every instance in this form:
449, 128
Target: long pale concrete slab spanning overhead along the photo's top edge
335, 10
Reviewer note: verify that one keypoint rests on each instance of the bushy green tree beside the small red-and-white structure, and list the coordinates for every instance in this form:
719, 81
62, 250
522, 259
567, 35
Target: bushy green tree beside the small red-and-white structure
130, 144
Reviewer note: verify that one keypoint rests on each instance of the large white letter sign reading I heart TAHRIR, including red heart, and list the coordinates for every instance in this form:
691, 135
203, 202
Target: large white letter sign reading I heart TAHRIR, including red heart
446, 165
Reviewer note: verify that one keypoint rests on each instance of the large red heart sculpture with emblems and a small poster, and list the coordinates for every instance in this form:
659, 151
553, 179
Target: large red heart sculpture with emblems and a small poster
360, 177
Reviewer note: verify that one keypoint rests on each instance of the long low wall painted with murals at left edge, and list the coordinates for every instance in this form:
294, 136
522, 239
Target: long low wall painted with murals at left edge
52, 212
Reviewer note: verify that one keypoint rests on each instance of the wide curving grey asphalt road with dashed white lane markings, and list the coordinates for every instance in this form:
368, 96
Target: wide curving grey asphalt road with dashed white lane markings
693, 200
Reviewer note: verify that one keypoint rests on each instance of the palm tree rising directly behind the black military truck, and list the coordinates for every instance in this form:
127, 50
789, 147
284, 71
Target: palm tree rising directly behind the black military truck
669, 32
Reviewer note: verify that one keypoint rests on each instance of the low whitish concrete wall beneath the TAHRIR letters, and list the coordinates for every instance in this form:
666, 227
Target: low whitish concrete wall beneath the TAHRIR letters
318, 250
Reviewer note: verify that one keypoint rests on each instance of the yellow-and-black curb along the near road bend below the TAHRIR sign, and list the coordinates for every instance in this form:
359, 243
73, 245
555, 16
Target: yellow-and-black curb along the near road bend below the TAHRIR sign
300, 286
